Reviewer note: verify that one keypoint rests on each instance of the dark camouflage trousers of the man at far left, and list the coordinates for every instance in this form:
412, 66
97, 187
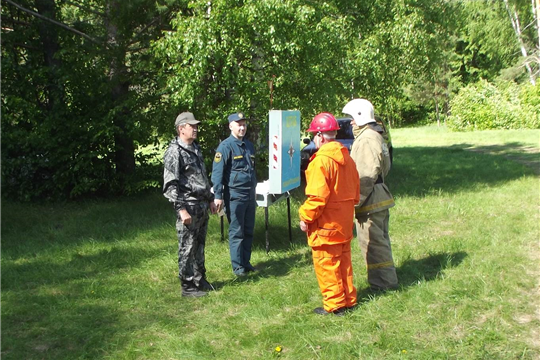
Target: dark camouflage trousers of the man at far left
191, 242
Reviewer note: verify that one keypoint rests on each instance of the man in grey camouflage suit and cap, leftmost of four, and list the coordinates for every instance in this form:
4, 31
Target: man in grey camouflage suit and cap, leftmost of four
186, 185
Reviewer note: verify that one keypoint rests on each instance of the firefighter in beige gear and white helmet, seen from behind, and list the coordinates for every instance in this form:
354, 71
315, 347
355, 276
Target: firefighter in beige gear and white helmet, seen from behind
372, 157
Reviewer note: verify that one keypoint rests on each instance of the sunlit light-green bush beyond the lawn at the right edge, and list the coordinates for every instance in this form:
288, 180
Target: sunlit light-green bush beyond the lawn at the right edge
504, 105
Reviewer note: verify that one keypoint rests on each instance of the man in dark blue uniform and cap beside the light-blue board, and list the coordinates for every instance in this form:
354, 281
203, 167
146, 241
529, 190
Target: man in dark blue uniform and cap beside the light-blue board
233, 176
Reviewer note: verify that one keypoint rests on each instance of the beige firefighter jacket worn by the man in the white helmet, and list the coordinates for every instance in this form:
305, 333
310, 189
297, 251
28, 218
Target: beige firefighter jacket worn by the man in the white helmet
372, 158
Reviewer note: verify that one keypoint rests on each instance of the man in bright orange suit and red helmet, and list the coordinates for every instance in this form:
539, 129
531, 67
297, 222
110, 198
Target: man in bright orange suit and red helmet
332, 190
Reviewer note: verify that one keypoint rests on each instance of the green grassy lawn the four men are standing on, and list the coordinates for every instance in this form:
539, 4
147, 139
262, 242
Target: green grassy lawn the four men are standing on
97, 279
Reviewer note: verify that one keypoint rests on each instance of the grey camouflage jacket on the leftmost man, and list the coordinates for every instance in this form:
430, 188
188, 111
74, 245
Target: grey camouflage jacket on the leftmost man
185, 181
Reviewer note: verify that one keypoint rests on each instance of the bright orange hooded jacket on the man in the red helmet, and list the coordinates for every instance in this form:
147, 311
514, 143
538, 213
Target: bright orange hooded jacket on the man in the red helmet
332, 190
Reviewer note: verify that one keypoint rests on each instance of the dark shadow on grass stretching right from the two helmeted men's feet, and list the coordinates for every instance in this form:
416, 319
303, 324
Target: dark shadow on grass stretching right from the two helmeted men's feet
414, 271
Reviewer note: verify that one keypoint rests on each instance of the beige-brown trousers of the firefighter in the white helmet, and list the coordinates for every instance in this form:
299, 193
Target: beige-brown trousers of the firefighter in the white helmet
372, 232
